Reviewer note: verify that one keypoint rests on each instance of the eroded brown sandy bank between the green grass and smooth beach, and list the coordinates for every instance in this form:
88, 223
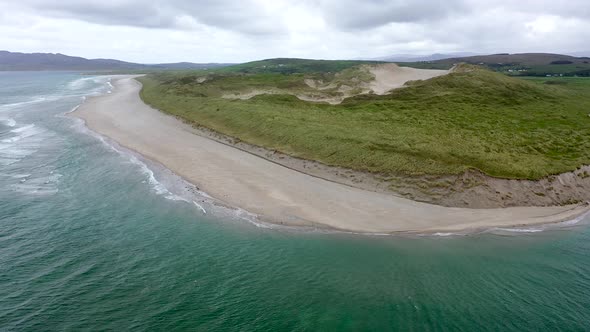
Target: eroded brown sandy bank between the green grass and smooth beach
472, 189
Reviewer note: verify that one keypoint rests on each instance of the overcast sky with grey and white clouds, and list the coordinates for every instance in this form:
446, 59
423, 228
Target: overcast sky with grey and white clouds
152, 31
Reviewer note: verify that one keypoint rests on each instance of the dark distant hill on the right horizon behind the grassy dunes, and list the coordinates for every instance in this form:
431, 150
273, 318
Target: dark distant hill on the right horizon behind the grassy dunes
522, 64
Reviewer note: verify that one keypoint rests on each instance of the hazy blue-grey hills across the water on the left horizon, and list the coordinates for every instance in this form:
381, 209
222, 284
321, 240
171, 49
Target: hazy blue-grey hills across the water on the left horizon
13, 61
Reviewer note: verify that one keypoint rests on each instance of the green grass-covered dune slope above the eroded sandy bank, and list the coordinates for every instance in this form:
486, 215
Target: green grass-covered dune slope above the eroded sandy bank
503, 126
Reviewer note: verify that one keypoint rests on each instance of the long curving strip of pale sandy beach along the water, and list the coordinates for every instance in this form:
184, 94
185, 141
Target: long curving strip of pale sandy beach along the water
278, 194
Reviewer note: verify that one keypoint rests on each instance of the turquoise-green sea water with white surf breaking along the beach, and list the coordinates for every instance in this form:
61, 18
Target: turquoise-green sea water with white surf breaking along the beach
93, 237
